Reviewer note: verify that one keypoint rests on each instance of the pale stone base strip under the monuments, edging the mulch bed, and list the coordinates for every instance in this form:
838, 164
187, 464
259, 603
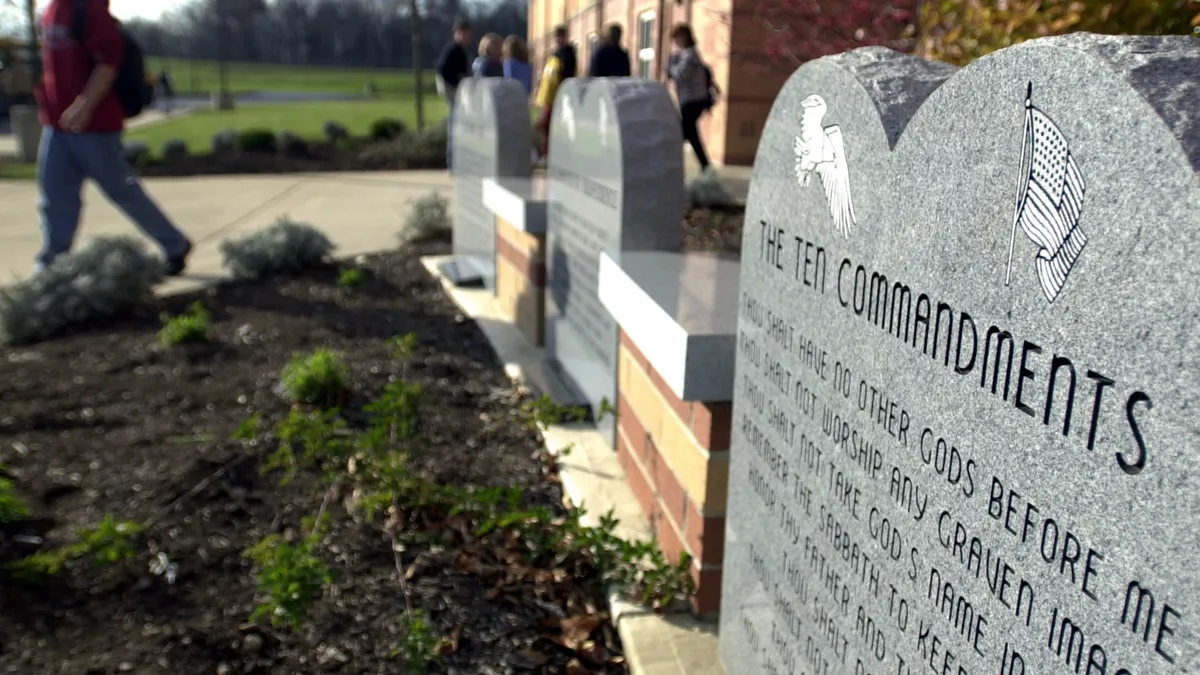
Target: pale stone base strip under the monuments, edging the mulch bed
655, 644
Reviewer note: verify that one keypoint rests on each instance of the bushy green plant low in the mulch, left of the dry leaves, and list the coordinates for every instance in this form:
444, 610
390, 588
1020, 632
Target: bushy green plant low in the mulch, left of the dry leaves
290, 576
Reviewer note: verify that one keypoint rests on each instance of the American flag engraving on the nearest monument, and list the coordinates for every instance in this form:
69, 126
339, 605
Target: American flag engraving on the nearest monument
1049, 201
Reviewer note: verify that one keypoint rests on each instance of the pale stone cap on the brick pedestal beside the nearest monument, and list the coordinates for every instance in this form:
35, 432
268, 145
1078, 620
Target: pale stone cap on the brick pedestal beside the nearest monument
682, 313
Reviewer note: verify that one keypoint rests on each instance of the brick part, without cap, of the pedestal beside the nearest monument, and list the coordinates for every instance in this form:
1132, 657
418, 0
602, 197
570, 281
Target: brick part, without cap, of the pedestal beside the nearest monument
676, 459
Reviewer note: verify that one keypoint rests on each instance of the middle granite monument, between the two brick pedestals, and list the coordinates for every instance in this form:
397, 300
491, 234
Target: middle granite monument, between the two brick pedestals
616, 184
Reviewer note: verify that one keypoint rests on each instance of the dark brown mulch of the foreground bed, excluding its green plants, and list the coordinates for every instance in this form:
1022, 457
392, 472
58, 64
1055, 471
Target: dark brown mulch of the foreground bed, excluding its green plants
107, 421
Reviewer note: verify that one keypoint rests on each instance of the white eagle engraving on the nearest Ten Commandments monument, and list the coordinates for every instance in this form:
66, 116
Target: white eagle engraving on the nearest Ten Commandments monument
820, 150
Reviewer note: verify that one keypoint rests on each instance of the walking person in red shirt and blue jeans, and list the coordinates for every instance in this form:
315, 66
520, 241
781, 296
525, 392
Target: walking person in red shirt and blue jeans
83, 122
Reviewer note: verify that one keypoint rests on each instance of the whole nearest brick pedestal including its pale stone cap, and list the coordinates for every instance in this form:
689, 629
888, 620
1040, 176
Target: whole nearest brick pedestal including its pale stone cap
677, 315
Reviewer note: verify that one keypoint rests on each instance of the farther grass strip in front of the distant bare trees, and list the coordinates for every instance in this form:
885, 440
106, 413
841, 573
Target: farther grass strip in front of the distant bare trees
202, 77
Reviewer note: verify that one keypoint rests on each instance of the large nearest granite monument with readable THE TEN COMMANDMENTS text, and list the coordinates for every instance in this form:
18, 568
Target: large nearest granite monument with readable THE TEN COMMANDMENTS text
969, 368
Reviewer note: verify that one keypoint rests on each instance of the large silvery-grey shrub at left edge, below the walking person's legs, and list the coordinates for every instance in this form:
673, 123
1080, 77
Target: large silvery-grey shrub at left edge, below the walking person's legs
107, 278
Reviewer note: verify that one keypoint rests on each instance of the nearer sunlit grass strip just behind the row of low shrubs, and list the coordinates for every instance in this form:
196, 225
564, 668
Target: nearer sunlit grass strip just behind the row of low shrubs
303, 120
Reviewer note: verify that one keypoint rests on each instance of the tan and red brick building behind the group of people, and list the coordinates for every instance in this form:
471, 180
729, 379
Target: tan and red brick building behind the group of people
724, 31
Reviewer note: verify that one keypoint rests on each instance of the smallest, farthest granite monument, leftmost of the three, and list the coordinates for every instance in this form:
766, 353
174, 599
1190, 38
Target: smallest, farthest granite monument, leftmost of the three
491, 139
